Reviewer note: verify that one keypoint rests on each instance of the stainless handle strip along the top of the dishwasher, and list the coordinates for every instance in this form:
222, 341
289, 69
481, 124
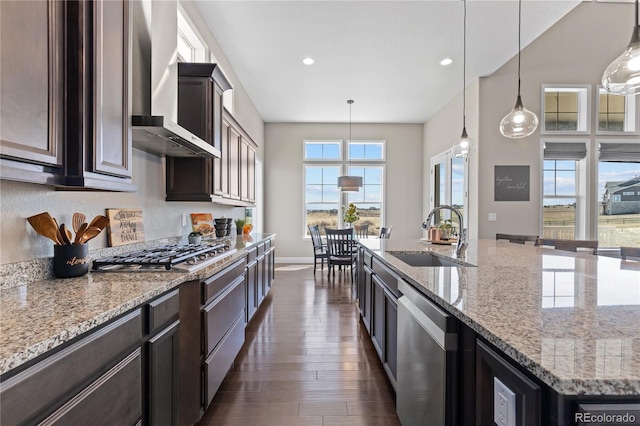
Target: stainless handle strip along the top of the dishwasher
440, 325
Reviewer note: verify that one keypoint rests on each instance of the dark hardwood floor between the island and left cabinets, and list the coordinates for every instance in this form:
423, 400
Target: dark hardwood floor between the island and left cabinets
307, 360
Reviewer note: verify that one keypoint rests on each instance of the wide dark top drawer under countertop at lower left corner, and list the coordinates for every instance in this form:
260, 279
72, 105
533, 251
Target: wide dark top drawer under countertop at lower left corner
32, 392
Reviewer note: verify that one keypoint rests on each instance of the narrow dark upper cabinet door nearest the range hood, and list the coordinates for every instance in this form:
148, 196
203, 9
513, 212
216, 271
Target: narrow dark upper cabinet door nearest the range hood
111, 140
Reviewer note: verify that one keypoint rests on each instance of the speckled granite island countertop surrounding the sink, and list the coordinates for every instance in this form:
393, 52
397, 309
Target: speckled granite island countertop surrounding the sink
571, 319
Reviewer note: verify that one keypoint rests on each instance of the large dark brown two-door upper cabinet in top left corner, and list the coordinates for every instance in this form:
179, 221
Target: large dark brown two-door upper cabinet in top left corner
65, 105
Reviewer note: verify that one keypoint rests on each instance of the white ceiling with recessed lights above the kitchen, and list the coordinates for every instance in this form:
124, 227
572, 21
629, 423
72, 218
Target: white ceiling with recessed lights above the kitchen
383, 54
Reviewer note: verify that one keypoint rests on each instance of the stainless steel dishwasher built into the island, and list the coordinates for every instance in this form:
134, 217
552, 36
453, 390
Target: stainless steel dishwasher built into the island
427, 361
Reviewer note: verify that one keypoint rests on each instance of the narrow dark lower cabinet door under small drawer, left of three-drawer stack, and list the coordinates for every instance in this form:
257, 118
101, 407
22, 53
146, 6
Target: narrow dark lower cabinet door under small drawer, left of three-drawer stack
163, 369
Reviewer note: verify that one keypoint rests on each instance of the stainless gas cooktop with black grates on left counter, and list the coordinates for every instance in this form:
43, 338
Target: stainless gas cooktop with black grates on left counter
187, 257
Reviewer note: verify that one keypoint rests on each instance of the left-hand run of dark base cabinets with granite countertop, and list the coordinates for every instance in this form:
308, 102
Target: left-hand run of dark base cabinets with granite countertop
69, 345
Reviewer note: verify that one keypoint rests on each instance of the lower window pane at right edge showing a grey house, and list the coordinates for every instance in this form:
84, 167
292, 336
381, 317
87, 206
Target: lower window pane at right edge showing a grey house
619, 204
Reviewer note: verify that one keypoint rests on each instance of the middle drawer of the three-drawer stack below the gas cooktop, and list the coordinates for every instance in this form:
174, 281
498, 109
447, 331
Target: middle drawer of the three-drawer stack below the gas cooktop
220, 314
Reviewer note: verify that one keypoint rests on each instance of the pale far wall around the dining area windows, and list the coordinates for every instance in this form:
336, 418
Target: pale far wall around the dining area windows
284, 178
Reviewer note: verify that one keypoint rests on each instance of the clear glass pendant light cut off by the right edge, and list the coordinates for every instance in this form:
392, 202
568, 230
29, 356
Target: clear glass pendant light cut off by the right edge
622, 76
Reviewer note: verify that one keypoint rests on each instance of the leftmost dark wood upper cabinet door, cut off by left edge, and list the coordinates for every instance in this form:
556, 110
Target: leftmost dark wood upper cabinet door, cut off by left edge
31, 126
